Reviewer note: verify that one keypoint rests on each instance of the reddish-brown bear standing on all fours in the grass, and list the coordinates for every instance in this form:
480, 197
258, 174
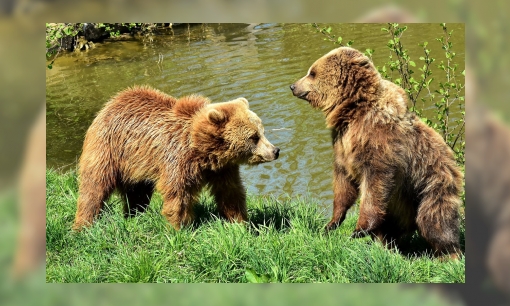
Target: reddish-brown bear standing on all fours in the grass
144, 139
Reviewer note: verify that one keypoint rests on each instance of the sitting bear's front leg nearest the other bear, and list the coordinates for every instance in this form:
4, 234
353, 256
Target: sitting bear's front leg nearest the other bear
345, 194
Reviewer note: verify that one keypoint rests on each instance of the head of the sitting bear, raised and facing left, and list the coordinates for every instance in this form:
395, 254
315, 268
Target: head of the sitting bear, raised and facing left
341, 74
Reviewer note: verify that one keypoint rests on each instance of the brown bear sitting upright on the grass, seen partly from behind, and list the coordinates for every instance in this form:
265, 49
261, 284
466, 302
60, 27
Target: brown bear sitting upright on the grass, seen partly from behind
405, 172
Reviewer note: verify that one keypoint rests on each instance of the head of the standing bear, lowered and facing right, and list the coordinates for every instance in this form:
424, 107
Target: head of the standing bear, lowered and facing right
230, 133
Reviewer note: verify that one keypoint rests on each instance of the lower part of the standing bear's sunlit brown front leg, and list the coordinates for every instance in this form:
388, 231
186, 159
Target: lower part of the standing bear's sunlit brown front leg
178, 210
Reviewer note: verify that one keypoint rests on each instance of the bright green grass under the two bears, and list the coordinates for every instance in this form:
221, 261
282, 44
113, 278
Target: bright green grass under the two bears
284, 241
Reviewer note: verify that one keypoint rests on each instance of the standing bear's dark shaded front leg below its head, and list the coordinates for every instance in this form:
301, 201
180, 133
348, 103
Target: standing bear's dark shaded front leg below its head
229, 193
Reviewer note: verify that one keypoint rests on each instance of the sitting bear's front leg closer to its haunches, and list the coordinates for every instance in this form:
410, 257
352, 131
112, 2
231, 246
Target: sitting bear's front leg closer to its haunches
375, 190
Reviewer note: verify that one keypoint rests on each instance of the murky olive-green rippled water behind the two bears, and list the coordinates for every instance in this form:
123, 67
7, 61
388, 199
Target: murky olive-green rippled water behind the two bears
223, 61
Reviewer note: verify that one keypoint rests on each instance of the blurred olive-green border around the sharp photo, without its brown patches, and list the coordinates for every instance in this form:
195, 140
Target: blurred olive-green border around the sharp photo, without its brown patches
22, 98
